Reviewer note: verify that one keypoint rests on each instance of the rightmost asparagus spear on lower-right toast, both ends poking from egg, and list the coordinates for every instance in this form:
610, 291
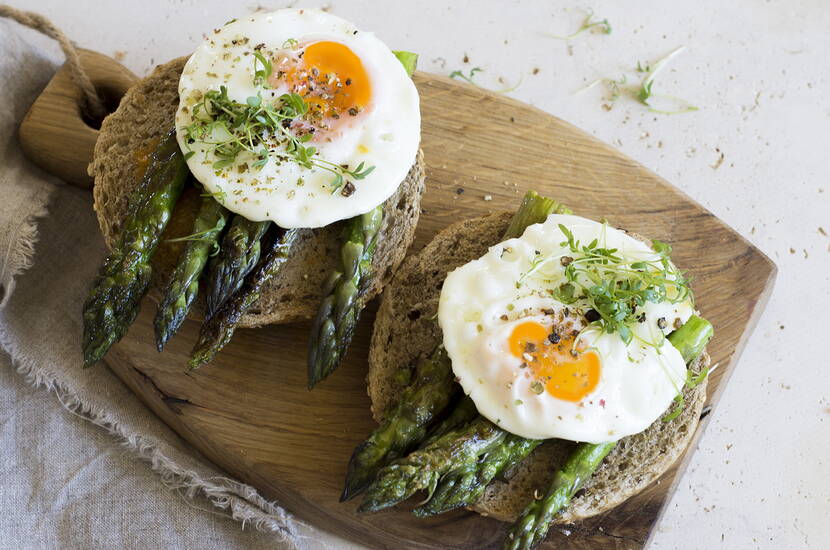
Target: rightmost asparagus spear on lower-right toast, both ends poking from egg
532, 526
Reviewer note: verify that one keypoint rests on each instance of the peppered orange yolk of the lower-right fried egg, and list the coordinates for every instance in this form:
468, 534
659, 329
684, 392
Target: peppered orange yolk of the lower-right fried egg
566, 372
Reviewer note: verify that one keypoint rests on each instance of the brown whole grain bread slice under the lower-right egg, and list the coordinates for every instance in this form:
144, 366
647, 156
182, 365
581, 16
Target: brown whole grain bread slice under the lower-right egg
406, 329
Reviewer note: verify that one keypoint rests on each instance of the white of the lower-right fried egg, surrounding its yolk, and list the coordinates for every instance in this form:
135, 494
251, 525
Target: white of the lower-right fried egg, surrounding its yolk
480, 305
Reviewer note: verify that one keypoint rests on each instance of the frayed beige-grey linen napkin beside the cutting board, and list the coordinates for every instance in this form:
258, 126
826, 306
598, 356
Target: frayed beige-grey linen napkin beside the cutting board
50, 247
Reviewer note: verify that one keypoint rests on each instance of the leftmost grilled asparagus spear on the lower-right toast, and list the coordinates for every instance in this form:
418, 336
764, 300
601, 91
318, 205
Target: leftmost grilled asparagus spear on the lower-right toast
406, 425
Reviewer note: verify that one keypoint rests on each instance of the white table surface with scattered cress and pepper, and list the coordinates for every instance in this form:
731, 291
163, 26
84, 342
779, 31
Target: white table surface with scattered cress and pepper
758, 71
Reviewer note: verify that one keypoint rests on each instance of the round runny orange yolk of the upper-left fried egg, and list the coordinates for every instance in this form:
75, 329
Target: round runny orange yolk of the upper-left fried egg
331, 79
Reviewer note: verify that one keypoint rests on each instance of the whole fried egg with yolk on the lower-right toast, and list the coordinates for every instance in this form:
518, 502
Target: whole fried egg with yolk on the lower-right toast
538, 367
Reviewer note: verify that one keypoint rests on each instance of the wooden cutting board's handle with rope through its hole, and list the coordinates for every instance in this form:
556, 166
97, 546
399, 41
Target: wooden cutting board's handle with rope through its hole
55, 135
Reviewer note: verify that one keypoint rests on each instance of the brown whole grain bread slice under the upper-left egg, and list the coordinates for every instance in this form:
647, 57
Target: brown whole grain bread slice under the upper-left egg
127, 138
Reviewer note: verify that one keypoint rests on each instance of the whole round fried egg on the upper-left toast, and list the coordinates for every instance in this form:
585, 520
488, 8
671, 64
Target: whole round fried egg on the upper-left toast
362, 113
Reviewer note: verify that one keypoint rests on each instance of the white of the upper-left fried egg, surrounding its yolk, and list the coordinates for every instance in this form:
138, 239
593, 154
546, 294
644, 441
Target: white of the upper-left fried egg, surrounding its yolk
386, 136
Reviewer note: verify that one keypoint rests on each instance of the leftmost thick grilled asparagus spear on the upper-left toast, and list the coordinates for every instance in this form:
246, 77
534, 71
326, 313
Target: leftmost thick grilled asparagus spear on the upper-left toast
122, 282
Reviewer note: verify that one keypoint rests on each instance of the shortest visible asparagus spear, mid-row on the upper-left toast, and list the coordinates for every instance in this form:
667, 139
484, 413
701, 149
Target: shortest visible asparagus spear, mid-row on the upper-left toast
238, 255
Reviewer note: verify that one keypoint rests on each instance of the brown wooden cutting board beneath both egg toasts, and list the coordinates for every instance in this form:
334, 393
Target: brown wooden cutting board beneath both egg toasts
250, 412
